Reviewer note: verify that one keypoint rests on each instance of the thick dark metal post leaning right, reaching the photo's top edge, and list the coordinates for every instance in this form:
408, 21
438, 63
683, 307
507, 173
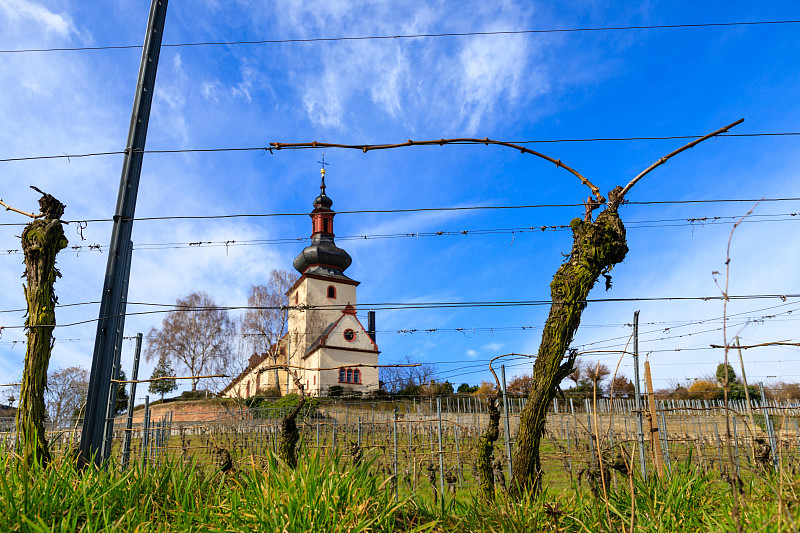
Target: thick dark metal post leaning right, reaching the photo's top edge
112, 320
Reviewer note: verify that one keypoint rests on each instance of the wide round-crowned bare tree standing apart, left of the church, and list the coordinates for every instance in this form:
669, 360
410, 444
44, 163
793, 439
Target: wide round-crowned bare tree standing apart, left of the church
197, 336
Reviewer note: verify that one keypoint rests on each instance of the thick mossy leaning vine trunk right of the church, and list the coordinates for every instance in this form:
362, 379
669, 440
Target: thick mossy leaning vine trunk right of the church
597, 246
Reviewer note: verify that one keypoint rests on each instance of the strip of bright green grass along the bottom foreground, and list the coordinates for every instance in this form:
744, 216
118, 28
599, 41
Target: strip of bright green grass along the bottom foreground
328, 494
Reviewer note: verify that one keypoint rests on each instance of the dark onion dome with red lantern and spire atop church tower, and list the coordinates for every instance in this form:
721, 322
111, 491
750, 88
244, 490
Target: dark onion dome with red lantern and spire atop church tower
322, 254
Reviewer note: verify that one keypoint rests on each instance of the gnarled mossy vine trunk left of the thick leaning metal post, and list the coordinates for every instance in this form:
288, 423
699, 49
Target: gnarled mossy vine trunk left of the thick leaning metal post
42, 239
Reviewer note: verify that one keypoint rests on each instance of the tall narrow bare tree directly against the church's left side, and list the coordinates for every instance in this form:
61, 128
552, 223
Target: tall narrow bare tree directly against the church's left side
265, 322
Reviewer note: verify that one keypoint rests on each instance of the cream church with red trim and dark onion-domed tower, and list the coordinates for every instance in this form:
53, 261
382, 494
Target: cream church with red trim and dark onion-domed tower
325, 343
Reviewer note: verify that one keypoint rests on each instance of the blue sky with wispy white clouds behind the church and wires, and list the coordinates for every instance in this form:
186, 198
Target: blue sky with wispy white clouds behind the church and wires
657, 82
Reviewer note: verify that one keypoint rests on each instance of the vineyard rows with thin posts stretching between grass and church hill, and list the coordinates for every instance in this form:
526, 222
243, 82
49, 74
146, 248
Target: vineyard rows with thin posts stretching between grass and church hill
432, 440
